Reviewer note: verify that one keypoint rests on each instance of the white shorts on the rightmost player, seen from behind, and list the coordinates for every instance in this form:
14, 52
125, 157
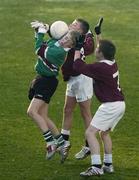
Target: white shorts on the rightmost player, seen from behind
108, 115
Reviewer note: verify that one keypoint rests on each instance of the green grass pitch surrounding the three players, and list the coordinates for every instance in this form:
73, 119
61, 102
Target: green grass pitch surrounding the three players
22, 154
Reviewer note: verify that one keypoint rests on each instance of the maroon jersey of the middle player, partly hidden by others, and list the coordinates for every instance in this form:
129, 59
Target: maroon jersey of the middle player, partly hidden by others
88, 48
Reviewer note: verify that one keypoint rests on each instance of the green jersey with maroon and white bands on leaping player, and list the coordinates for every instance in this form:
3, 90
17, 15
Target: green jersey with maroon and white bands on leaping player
50, 56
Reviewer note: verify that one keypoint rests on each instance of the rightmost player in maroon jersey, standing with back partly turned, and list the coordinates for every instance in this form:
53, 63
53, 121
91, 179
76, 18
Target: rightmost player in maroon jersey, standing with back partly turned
105, 76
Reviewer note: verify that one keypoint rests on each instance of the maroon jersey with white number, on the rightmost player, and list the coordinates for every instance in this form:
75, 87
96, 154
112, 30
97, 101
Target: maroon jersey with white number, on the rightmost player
106, 79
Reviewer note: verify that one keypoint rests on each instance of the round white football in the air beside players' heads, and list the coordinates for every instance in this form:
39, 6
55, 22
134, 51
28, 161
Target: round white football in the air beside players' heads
58, 29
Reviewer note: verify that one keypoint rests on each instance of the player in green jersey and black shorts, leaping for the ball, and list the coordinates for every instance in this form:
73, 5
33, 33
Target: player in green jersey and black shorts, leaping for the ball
51, 56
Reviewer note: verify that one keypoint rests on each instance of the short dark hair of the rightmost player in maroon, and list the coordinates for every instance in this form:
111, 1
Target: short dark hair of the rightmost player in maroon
107, 48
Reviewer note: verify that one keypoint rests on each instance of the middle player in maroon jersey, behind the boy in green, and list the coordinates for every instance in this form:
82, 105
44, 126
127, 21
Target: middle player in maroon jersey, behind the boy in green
79, 87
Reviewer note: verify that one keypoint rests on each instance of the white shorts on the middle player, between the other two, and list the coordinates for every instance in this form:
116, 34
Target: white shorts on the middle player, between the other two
80, 87
